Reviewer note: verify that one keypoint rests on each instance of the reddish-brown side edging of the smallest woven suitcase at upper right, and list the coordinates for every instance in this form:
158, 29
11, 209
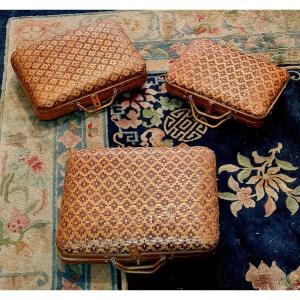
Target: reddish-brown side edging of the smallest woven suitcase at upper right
221, 108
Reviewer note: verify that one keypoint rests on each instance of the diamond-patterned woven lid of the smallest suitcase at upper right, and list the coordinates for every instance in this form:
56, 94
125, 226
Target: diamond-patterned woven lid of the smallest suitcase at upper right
228, 77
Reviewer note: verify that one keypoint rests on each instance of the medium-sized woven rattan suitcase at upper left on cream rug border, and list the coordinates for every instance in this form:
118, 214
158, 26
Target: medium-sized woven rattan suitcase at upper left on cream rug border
81, 68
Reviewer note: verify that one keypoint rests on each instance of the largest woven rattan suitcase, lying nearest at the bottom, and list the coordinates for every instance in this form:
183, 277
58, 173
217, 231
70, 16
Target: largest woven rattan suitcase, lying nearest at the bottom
138, 207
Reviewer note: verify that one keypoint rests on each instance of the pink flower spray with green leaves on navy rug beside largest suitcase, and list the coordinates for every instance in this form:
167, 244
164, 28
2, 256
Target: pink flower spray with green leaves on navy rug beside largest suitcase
265, 177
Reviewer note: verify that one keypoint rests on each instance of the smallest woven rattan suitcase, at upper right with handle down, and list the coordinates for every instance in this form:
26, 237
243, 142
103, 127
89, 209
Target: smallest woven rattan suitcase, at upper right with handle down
226, 84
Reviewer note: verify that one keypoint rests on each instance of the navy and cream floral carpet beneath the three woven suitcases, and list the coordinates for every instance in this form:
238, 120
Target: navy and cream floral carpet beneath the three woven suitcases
258, 174
